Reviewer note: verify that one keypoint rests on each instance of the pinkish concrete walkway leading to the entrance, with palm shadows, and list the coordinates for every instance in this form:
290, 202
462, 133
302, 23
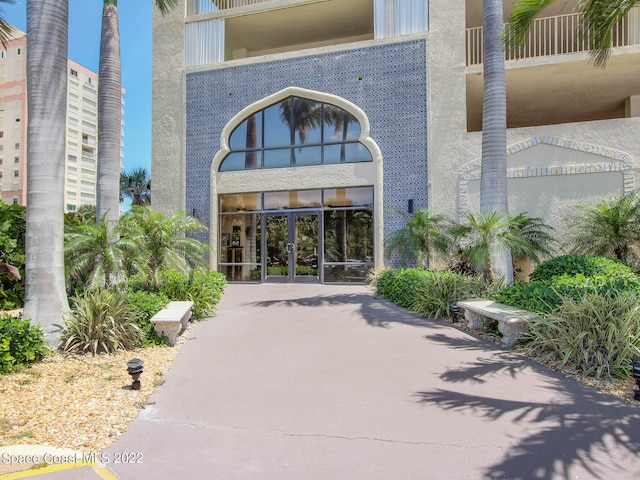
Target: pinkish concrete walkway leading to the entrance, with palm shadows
328, 382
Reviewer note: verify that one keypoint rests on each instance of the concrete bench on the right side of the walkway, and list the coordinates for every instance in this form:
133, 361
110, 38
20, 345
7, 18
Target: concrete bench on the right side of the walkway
512, 322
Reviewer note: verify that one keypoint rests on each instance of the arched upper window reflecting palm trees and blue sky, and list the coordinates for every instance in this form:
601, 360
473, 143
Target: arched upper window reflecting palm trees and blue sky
295, 132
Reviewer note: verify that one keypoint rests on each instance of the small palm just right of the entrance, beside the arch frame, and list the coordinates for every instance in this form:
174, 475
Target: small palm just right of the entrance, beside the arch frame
424, 233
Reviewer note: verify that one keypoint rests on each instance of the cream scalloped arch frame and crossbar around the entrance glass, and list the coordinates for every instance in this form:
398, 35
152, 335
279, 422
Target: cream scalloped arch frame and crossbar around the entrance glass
298, 178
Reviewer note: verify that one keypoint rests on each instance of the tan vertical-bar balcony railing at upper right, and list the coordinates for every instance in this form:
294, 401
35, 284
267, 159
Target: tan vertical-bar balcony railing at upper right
558, 35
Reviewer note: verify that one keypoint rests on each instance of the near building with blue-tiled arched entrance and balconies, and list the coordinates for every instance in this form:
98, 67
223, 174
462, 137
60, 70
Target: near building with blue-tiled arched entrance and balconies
298, 129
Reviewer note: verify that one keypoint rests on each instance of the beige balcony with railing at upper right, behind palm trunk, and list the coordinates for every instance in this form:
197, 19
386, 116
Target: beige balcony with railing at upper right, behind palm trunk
550, 80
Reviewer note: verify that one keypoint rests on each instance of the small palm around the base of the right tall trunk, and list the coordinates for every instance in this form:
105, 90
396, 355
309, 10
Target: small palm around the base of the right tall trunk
526, 236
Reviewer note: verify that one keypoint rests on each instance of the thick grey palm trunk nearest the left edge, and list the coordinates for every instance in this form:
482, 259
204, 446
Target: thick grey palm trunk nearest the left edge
45, 293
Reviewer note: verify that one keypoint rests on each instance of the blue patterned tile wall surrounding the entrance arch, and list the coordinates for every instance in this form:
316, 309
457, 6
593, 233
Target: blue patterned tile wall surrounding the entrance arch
392, 93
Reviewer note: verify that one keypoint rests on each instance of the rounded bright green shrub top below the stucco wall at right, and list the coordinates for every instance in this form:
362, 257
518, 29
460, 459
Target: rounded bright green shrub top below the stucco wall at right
586, 265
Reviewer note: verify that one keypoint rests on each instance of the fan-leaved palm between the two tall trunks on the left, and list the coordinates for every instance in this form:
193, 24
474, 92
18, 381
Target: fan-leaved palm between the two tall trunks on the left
95, 255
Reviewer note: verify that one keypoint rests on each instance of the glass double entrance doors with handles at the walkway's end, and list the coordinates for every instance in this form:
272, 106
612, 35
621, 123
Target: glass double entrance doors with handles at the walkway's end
292, 247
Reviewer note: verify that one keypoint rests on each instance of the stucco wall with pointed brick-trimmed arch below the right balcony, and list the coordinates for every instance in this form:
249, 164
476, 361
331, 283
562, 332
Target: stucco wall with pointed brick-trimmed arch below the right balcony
555, 168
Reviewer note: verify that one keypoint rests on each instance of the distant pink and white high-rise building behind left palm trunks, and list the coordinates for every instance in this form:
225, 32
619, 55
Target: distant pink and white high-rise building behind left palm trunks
82, 128
